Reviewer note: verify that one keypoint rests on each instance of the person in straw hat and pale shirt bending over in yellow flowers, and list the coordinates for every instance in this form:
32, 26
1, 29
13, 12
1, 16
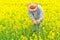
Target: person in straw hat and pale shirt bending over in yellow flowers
36, 14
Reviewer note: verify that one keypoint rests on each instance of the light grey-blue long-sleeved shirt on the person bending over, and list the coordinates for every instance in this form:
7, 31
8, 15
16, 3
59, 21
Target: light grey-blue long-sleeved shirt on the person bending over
37, 14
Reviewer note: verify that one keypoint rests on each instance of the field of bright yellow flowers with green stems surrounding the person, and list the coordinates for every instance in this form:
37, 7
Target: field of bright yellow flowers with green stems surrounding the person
16, 24
